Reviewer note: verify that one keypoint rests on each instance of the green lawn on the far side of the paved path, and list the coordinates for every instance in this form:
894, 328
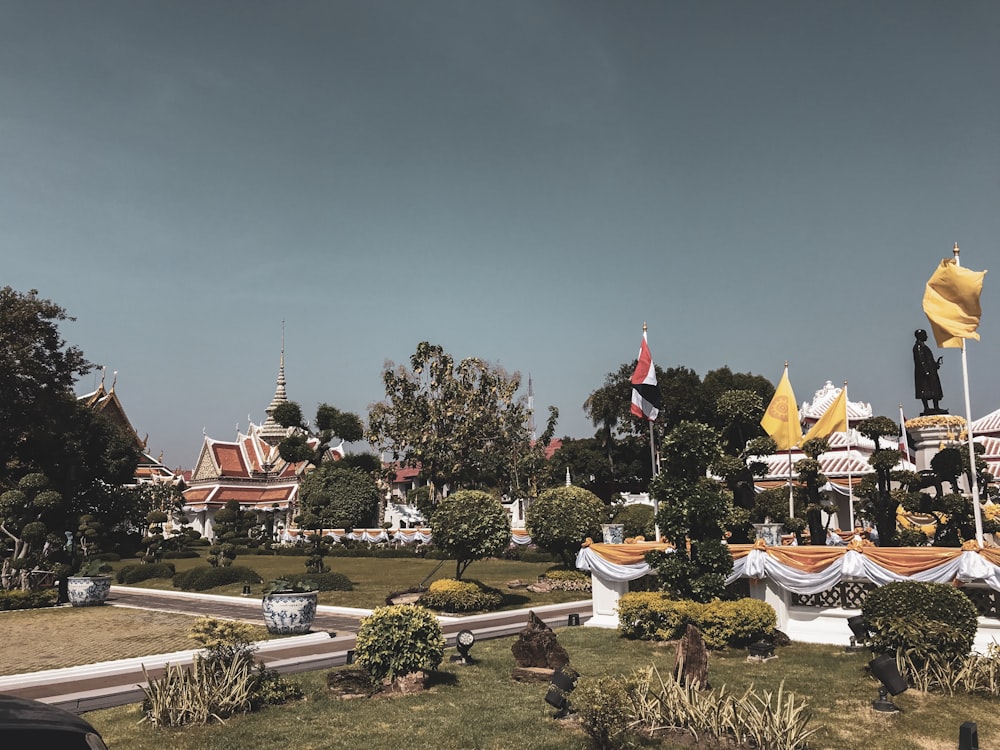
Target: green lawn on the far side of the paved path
375, 578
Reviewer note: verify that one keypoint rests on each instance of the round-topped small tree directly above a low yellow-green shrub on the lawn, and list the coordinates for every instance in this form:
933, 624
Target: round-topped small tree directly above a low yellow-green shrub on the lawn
470, 525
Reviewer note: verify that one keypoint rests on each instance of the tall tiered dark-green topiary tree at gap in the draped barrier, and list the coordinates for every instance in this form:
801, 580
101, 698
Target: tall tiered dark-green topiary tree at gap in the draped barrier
694, 512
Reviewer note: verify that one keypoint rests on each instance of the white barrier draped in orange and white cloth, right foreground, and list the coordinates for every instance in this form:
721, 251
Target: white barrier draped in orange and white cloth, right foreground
776, 573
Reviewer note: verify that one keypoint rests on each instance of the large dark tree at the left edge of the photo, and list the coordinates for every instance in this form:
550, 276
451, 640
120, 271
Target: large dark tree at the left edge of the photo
80, 456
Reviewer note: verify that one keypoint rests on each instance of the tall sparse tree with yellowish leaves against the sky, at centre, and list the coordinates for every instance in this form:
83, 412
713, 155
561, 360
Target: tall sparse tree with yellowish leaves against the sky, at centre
462, 424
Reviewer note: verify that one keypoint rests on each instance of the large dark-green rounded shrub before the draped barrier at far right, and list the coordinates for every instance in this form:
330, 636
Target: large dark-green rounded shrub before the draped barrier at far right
923, 619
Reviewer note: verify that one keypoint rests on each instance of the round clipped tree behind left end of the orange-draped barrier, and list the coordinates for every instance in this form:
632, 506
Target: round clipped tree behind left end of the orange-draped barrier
562, 518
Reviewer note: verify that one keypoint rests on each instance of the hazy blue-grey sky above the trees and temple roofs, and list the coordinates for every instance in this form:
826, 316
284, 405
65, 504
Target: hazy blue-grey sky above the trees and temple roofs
524, 182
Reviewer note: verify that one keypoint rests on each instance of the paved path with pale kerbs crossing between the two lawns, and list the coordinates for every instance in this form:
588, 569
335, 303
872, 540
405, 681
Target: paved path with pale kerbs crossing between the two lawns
116, 683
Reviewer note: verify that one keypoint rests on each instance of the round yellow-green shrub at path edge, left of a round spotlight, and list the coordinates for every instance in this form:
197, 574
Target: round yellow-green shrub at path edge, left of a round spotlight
399, 640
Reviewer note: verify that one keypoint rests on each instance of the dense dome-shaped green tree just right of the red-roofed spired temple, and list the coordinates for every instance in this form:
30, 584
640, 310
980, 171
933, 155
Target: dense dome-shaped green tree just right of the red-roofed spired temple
337, 497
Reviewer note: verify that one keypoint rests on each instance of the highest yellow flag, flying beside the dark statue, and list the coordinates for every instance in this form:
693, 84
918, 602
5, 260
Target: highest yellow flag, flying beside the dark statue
951, 303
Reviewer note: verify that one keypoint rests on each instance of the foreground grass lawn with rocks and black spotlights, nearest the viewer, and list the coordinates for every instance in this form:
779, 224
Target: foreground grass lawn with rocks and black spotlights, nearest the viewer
480, 707
